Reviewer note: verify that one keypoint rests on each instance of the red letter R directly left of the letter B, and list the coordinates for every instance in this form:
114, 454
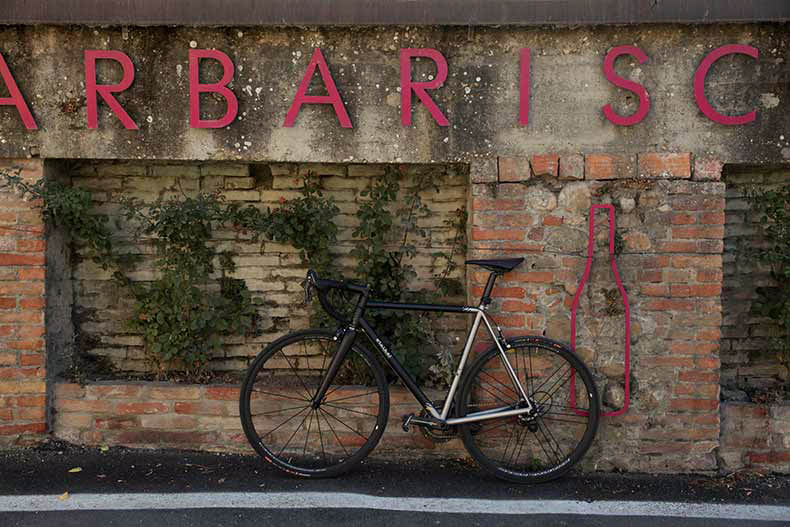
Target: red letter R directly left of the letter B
106, 90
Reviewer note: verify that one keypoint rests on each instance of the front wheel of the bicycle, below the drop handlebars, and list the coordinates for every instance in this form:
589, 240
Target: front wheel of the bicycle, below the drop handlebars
303, 439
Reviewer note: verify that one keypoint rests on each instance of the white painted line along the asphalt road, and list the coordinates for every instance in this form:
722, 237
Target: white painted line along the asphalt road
342, 500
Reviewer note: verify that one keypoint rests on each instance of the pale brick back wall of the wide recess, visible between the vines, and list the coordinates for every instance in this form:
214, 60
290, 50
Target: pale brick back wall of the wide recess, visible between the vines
272, 271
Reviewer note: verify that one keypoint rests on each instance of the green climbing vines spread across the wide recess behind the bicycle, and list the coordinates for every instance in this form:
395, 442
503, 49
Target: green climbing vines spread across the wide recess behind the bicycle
193, 301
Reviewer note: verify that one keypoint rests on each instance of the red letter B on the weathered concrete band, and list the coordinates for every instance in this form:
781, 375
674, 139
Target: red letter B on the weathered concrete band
221, 87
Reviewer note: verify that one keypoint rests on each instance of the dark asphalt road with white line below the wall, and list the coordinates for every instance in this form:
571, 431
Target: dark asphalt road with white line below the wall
129, 487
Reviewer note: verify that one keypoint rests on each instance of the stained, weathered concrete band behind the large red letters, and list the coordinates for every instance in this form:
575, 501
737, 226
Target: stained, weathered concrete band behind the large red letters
480, 96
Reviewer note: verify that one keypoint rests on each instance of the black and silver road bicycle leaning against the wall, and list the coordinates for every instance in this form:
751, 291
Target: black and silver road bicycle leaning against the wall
512, 407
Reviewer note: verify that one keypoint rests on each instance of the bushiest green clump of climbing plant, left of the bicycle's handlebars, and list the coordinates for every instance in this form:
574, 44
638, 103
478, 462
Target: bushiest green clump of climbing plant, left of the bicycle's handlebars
183, 314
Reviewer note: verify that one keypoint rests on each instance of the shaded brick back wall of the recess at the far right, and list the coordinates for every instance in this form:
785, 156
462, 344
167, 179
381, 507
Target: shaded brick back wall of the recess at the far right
748, 363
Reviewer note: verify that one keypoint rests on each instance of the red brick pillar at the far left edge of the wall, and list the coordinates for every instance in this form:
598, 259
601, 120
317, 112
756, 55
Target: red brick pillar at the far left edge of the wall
22, 357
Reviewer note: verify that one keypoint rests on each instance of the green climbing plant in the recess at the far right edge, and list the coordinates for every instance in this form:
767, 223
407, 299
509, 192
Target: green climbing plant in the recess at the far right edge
774, 302
